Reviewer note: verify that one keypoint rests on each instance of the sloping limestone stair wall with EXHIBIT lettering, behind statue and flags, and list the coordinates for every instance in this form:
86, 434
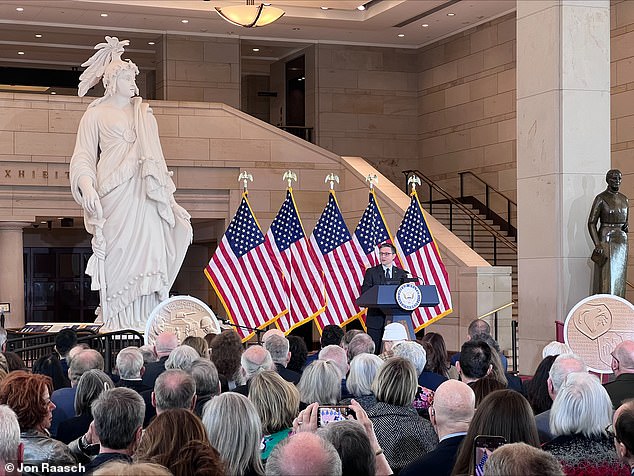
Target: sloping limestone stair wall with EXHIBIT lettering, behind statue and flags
207, 145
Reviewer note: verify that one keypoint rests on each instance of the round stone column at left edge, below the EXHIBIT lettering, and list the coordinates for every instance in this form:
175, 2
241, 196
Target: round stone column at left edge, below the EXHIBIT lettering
12, 270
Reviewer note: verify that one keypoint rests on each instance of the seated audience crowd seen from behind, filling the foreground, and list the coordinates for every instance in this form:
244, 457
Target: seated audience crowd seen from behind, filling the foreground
215, 407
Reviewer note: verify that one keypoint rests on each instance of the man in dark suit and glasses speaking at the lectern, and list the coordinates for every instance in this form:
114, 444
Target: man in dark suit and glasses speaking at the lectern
385, 273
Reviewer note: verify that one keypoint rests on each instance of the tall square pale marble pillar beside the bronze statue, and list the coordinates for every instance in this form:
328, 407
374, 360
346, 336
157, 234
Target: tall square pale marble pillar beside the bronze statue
563, 153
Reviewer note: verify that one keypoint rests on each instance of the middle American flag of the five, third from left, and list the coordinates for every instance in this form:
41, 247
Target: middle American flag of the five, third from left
342, 264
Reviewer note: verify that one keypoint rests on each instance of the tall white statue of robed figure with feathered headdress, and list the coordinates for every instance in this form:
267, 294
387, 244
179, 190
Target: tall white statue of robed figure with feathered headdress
119, 176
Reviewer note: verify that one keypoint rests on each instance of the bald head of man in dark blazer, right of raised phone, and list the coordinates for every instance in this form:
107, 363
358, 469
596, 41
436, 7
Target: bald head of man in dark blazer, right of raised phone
453, 407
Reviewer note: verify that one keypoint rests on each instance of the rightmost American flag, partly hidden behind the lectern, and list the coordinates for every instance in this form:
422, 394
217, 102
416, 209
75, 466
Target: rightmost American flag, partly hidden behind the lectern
416, 245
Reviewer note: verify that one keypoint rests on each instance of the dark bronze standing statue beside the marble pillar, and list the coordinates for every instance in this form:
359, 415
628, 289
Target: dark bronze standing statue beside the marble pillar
610, 239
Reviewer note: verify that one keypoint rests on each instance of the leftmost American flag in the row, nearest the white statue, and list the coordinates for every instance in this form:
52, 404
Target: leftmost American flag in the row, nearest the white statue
244, 274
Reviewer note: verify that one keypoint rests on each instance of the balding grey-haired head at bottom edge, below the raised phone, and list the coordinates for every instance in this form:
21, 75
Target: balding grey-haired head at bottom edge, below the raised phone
304, 453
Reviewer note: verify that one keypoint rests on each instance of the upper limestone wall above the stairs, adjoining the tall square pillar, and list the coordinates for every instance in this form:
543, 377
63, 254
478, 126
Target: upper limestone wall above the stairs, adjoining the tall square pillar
466, 106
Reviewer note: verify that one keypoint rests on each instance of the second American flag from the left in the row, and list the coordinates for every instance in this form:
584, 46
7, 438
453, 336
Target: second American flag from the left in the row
303, 280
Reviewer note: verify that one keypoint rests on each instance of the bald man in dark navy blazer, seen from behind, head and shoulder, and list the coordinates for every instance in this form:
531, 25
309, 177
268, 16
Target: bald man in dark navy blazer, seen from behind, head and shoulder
450, 415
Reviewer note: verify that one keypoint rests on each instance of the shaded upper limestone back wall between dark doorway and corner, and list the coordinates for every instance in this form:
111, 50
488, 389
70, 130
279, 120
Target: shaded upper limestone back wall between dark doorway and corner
366, 104
